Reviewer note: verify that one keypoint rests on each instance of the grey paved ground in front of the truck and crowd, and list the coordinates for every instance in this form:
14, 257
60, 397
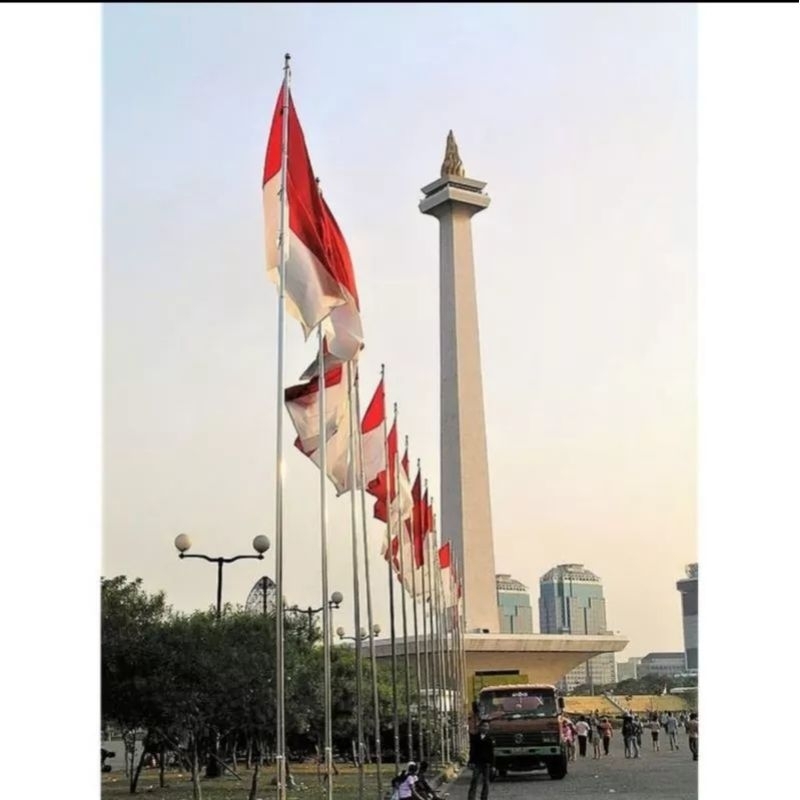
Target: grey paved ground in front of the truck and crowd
664, 775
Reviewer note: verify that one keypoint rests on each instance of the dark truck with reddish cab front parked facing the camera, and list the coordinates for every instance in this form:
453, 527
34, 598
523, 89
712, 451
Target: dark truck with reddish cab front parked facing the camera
525, 723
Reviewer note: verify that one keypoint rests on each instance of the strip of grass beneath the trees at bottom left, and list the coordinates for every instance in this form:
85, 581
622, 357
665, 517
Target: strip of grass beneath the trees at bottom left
179, 785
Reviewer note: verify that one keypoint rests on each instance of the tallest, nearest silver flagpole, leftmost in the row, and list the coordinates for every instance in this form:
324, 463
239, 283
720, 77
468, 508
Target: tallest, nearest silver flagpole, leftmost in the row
283, 244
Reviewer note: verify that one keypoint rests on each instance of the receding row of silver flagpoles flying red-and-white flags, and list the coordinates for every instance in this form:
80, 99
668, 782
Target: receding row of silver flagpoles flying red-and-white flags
316, 284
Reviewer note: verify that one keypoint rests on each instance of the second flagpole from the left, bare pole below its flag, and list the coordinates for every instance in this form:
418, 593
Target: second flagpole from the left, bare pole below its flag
326, 607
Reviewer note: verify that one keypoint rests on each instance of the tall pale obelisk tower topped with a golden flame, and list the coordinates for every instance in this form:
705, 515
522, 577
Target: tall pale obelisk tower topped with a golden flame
465, 503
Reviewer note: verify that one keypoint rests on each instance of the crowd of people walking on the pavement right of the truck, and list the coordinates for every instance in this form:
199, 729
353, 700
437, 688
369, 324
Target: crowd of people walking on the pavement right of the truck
598, 732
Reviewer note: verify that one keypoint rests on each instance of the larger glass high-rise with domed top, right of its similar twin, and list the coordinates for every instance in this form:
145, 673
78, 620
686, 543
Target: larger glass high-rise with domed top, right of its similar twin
571, 602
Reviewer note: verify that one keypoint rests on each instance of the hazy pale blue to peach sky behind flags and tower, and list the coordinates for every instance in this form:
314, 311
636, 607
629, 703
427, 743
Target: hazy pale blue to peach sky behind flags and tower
582, 121
